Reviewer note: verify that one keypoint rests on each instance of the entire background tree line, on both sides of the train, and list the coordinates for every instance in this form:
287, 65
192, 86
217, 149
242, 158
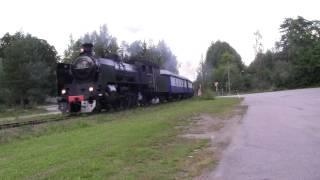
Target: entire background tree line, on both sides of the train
27, 63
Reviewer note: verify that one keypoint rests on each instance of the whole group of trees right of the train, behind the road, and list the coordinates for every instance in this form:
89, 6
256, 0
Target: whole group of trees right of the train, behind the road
294, 62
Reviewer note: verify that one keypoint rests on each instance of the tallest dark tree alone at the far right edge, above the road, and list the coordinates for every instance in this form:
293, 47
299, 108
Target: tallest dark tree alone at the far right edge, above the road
299, 47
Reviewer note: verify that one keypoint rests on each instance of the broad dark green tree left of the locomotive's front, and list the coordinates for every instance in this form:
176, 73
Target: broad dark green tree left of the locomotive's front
28, 68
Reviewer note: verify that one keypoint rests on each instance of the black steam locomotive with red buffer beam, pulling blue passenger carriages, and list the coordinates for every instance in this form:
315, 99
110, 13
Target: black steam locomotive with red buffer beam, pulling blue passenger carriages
91, 84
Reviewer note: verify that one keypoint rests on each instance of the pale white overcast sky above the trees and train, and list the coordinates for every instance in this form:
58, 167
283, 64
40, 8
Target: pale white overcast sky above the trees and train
187, 26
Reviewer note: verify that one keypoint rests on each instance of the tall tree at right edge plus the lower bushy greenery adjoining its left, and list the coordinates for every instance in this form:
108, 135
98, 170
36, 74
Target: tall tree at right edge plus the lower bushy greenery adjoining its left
296, 61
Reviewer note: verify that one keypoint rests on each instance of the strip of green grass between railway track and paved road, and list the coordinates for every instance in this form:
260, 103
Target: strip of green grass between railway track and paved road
142, 143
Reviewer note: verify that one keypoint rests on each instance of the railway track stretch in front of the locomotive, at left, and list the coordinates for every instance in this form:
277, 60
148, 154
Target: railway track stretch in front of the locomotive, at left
32, 122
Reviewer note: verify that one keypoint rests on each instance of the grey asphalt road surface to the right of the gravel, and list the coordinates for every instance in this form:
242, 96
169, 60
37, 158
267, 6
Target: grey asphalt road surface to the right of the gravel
279, 139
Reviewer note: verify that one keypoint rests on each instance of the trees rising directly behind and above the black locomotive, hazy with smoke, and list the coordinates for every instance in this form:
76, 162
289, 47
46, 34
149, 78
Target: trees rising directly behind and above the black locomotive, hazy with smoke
106, 45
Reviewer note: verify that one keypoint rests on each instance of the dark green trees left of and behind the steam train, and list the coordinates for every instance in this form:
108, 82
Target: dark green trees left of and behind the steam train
28, 64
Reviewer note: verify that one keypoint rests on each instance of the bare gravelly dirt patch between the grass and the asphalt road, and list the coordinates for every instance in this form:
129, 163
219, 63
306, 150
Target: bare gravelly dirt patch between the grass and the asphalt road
218, 130
